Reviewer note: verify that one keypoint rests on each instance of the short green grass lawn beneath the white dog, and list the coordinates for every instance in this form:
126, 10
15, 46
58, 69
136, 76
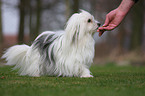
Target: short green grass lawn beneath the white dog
108, 80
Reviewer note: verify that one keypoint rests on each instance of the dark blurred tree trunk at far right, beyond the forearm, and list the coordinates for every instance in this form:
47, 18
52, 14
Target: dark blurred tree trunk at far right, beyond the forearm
137, 27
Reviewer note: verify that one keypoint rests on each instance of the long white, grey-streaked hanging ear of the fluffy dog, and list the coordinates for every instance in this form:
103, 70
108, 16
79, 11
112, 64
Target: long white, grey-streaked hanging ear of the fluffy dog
73, 28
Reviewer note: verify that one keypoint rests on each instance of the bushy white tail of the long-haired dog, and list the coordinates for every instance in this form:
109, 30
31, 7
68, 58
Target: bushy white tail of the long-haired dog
15, 55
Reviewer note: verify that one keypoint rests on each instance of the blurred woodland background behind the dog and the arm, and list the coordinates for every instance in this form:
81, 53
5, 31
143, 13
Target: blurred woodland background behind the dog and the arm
22, 20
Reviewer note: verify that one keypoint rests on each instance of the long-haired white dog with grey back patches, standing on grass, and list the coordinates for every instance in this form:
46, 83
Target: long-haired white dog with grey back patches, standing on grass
62, 53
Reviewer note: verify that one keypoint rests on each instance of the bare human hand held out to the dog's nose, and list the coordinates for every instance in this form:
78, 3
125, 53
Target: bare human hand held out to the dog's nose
113, 19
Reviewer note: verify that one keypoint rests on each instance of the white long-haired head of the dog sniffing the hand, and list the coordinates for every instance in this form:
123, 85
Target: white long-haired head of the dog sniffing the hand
81, 24
